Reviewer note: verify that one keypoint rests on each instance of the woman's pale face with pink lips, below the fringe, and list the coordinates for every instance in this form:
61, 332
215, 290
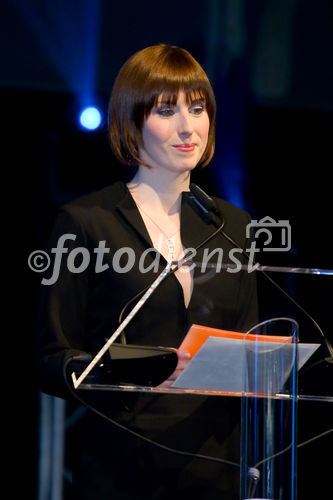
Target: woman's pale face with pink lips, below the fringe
175, 136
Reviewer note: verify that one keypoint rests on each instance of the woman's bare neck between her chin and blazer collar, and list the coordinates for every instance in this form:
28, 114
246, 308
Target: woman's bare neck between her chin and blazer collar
159, 190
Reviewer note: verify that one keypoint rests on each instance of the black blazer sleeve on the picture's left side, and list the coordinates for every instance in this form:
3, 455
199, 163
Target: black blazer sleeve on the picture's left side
62, 310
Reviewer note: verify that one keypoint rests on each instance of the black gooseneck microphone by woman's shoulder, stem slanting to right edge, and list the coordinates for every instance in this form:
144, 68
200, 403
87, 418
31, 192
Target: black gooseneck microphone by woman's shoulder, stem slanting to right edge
209, 205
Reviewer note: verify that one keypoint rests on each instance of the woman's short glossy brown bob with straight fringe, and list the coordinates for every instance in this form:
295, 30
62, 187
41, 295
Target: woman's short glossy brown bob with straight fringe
157, 70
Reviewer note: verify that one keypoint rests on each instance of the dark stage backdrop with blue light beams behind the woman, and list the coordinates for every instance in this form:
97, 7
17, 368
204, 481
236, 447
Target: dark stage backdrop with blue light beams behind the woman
270, 65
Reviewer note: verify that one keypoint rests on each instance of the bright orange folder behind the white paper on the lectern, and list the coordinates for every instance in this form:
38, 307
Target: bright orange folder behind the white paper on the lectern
197, 335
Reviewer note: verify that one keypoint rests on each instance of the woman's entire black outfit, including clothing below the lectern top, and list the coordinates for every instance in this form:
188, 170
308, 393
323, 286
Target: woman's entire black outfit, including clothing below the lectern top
81, 309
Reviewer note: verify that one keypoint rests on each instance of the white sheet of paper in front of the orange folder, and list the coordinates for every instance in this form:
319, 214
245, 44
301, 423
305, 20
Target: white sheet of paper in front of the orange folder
219, 365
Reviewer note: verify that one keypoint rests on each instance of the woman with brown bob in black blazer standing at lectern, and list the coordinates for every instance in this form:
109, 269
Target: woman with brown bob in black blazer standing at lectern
162, 113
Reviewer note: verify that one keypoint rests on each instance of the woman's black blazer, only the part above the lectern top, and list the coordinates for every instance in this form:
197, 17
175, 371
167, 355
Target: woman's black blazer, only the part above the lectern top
82, 309
